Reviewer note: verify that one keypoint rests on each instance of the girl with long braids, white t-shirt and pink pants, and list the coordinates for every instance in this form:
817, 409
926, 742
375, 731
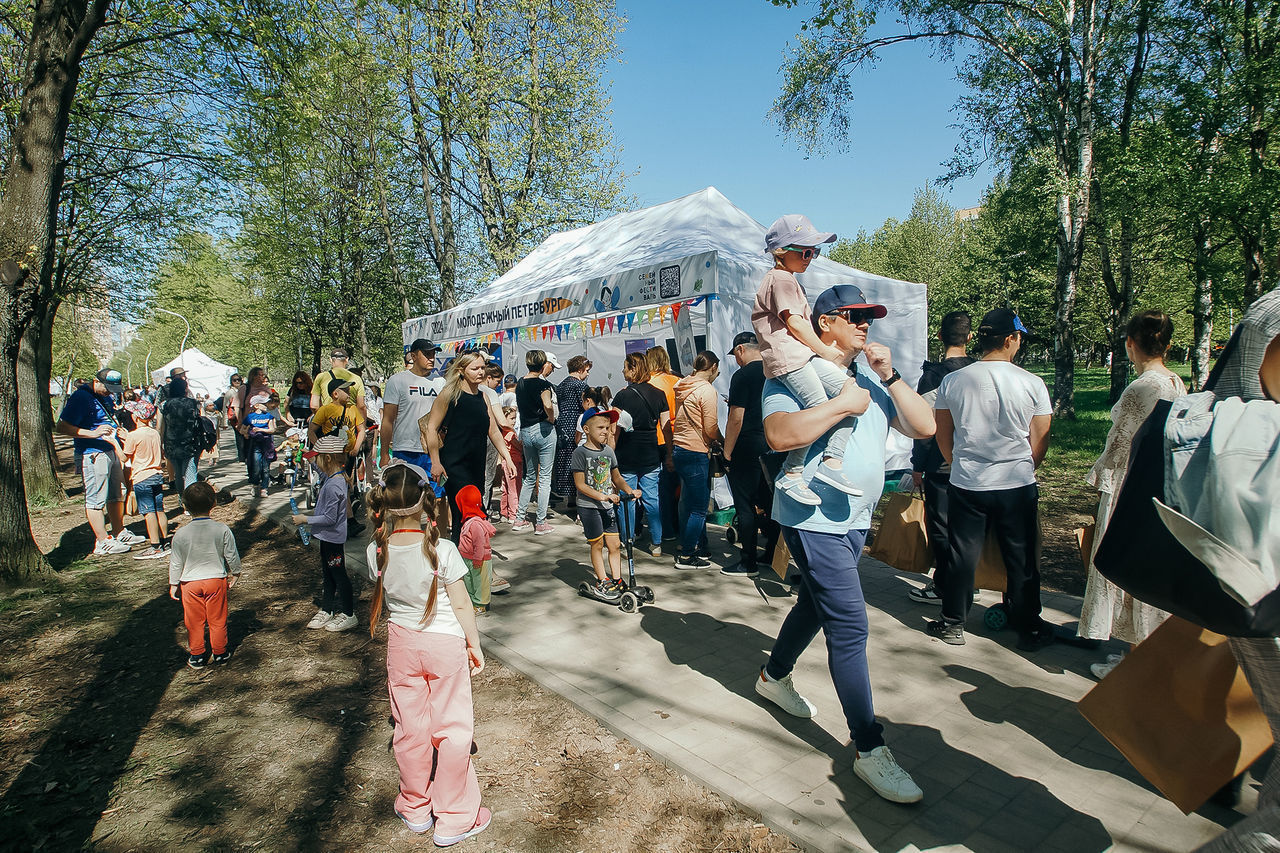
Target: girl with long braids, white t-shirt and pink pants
432, 651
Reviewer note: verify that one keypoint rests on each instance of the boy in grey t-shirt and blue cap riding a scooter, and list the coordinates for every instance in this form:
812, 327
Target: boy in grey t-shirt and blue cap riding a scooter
598, 481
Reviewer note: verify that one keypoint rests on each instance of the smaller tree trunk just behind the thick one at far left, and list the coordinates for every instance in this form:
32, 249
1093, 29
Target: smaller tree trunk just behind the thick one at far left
35, 409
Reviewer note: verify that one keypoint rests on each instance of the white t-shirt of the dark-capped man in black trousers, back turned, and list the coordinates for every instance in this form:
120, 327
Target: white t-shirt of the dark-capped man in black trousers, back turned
993, 405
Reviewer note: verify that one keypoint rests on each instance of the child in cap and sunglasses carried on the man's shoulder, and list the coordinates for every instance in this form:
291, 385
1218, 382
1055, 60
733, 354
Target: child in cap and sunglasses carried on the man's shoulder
794, 354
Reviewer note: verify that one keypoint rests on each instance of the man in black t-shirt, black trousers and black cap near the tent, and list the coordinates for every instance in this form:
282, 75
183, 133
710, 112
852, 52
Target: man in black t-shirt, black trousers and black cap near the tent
744, 449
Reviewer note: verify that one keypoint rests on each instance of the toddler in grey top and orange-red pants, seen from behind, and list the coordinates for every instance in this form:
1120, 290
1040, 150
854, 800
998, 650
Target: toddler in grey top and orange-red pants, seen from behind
204, 565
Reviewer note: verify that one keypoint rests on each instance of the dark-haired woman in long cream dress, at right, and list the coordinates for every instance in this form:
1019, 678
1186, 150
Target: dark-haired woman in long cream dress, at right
1109, 613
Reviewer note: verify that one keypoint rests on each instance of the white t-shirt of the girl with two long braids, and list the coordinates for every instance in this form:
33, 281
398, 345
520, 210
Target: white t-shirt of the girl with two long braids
408, 585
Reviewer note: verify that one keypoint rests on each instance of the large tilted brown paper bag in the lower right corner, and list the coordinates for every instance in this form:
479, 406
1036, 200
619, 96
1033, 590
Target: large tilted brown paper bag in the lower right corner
1178, 708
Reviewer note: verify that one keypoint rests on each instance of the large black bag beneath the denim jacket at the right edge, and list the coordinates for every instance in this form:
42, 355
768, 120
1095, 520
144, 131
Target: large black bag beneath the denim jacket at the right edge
1140, 555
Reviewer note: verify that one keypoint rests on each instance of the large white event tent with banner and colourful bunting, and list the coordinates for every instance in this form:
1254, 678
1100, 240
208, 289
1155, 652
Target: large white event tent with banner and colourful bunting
616, 286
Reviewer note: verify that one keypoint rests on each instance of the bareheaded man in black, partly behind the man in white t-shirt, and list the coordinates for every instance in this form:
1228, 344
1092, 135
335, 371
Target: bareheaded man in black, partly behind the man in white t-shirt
930, 472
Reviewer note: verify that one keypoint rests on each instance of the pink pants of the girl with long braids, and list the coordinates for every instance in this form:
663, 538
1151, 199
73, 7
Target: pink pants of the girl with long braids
431, 691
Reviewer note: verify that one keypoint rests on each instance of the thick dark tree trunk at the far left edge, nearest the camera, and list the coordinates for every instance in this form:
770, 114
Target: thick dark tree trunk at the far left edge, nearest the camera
29, 217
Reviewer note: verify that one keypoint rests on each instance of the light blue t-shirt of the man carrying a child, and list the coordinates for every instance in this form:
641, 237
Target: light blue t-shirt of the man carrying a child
865, 464
